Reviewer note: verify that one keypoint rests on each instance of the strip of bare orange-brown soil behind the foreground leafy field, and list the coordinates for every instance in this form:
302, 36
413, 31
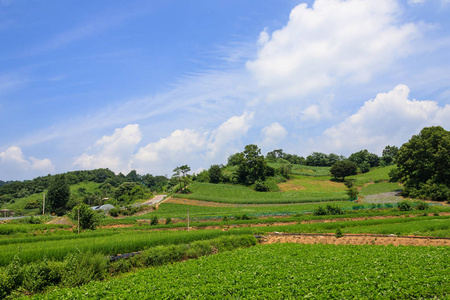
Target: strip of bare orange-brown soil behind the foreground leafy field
350, 239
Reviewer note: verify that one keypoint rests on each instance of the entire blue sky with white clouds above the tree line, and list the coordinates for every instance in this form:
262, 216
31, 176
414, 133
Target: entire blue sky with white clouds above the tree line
152, 85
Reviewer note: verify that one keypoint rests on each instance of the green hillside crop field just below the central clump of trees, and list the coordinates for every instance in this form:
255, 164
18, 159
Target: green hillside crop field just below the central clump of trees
236, 194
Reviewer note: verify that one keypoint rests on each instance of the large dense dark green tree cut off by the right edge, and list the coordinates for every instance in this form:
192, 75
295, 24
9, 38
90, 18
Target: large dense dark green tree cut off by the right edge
424, 164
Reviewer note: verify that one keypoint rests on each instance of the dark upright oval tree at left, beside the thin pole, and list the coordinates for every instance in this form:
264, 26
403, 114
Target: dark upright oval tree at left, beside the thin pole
58, 195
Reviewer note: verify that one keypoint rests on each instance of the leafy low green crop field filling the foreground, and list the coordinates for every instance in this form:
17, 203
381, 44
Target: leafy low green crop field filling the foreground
286, 271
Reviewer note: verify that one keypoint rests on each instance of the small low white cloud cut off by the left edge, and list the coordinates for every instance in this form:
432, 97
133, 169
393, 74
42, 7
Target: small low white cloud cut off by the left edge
15, 165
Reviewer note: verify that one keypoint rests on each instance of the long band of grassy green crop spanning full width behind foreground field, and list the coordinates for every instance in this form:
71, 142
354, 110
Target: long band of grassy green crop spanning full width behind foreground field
110, 242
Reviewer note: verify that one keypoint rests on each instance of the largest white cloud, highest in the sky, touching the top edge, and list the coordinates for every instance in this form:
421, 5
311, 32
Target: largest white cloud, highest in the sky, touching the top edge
345, 41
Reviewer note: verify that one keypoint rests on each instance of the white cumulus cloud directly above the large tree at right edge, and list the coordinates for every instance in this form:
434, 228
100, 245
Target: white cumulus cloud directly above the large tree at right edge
389, 119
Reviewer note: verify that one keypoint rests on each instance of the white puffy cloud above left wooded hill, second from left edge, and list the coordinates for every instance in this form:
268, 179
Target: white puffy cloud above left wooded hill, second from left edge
112, 151
